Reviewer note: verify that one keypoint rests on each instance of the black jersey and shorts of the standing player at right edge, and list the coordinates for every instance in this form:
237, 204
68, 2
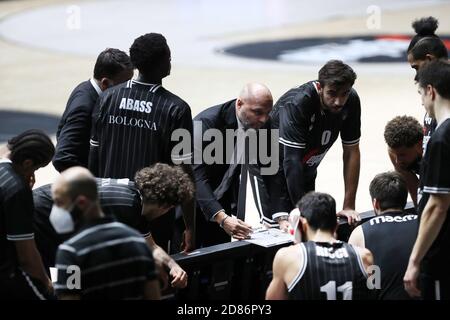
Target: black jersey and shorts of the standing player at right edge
435, 179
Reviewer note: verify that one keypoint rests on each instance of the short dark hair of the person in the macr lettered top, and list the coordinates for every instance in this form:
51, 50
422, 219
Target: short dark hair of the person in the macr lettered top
390, 190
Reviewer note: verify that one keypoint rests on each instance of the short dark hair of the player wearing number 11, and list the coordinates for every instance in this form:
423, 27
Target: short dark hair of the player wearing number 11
319, 209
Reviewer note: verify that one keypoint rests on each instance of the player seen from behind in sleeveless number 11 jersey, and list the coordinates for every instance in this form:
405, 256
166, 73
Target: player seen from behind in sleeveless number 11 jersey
322, 268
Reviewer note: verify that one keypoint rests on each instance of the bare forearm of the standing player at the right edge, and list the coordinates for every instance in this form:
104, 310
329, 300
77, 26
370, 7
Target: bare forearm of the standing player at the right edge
431, 221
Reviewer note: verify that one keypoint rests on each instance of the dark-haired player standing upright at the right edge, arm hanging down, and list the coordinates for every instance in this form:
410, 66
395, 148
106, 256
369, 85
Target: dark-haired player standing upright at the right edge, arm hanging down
427, 272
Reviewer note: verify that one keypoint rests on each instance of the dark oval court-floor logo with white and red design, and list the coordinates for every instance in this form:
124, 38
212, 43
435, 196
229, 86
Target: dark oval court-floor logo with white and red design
363, 49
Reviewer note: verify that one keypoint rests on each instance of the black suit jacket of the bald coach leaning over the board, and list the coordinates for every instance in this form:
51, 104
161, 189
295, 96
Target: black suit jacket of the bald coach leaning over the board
209, 177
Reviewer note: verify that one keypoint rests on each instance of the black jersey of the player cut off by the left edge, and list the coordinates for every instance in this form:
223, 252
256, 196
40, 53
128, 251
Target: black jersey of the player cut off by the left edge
16, 215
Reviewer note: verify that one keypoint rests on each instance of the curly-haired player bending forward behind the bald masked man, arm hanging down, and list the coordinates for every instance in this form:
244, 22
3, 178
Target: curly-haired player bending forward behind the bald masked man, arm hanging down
157, 189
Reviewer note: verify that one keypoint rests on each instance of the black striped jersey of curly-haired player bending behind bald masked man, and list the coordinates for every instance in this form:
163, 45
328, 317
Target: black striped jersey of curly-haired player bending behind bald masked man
118, 197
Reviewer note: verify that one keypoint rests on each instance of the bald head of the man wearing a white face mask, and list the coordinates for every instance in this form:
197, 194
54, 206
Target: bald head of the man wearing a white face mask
74, 182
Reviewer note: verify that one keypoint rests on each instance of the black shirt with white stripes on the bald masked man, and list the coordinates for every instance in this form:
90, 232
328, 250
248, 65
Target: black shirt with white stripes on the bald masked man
113, 260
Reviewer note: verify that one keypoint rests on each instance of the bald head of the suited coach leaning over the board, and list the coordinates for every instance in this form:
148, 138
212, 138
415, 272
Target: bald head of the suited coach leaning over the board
254, 105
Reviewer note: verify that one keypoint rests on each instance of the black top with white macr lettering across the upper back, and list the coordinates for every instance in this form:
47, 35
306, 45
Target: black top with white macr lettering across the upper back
389, 235
